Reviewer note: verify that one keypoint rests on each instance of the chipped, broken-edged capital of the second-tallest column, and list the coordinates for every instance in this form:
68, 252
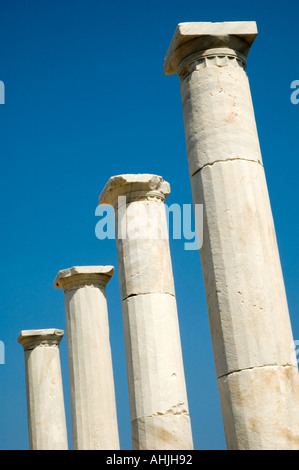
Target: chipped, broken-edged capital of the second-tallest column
134, 187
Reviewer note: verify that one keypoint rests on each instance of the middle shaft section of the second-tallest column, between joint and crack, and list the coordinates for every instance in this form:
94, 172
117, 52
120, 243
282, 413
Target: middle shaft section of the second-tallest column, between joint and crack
156, 376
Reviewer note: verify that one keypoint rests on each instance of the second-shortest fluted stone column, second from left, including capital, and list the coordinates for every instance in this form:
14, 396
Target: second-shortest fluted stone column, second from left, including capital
93, 406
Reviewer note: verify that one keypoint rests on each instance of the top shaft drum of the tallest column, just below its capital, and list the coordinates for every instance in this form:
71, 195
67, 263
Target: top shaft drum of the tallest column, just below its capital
219, 121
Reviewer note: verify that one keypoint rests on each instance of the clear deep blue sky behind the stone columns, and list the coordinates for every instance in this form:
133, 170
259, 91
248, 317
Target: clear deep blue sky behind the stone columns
86, 99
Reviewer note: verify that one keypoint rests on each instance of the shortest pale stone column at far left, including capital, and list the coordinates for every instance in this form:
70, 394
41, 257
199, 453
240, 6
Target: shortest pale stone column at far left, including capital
45, 404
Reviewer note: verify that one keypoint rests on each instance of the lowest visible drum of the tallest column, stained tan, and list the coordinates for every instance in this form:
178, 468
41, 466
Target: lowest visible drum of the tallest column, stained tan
260, 408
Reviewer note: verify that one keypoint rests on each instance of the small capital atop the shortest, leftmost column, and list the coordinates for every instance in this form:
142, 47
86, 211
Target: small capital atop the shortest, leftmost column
31, 339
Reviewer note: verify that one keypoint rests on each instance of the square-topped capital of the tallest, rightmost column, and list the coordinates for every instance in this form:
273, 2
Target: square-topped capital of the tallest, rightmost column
200, 40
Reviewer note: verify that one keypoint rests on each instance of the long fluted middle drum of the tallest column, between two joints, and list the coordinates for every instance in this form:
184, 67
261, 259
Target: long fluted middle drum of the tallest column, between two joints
248, 311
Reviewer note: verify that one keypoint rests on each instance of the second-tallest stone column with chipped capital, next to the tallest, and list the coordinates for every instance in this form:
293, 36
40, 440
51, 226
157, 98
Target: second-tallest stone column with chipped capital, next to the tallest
157, 390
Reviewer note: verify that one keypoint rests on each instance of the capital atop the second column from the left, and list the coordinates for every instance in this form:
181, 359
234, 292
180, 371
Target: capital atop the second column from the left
83, 275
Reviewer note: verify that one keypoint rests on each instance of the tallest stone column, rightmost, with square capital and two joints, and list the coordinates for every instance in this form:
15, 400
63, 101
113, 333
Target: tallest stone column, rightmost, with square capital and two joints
248, 312
